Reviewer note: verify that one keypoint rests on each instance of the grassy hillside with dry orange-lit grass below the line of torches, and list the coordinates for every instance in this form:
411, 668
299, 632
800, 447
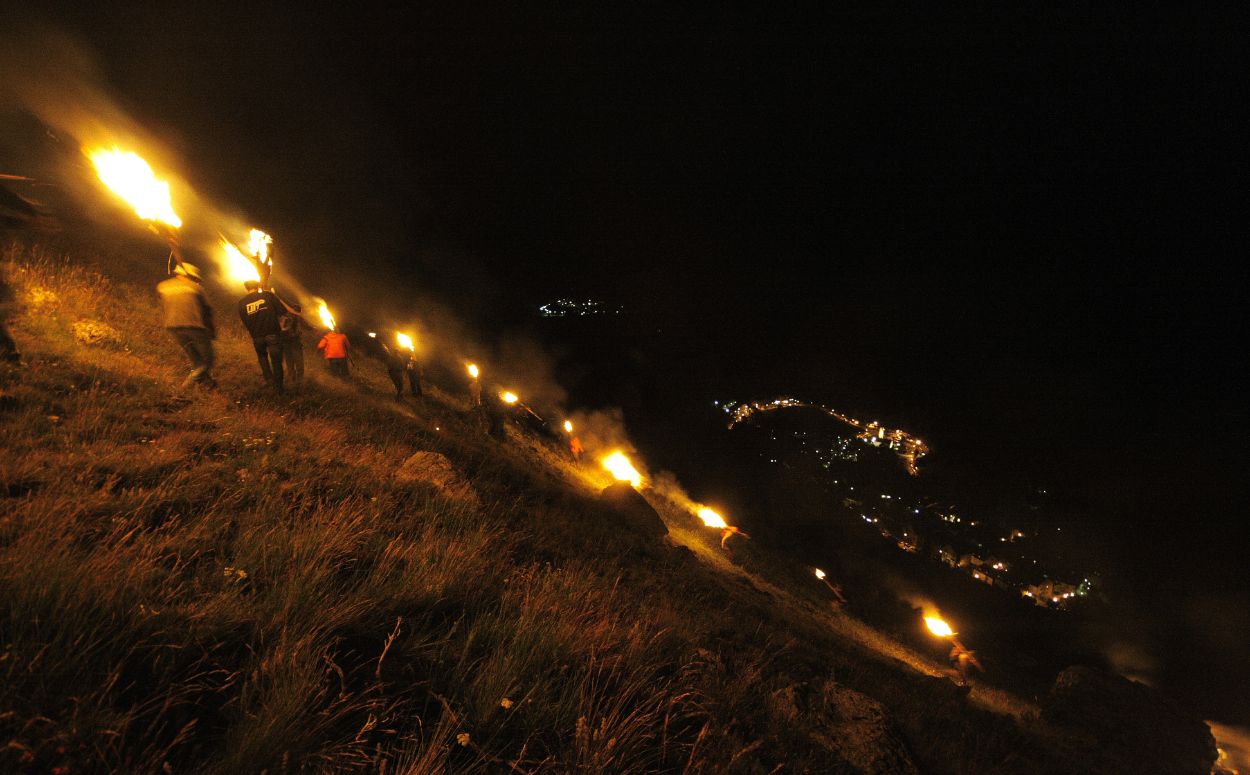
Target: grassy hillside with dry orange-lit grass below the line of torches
231, 583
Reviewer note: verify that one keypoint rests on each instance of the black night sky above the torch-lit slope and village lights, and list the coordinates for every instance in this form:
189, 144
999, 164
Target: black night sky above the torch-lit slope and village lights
987, 229
